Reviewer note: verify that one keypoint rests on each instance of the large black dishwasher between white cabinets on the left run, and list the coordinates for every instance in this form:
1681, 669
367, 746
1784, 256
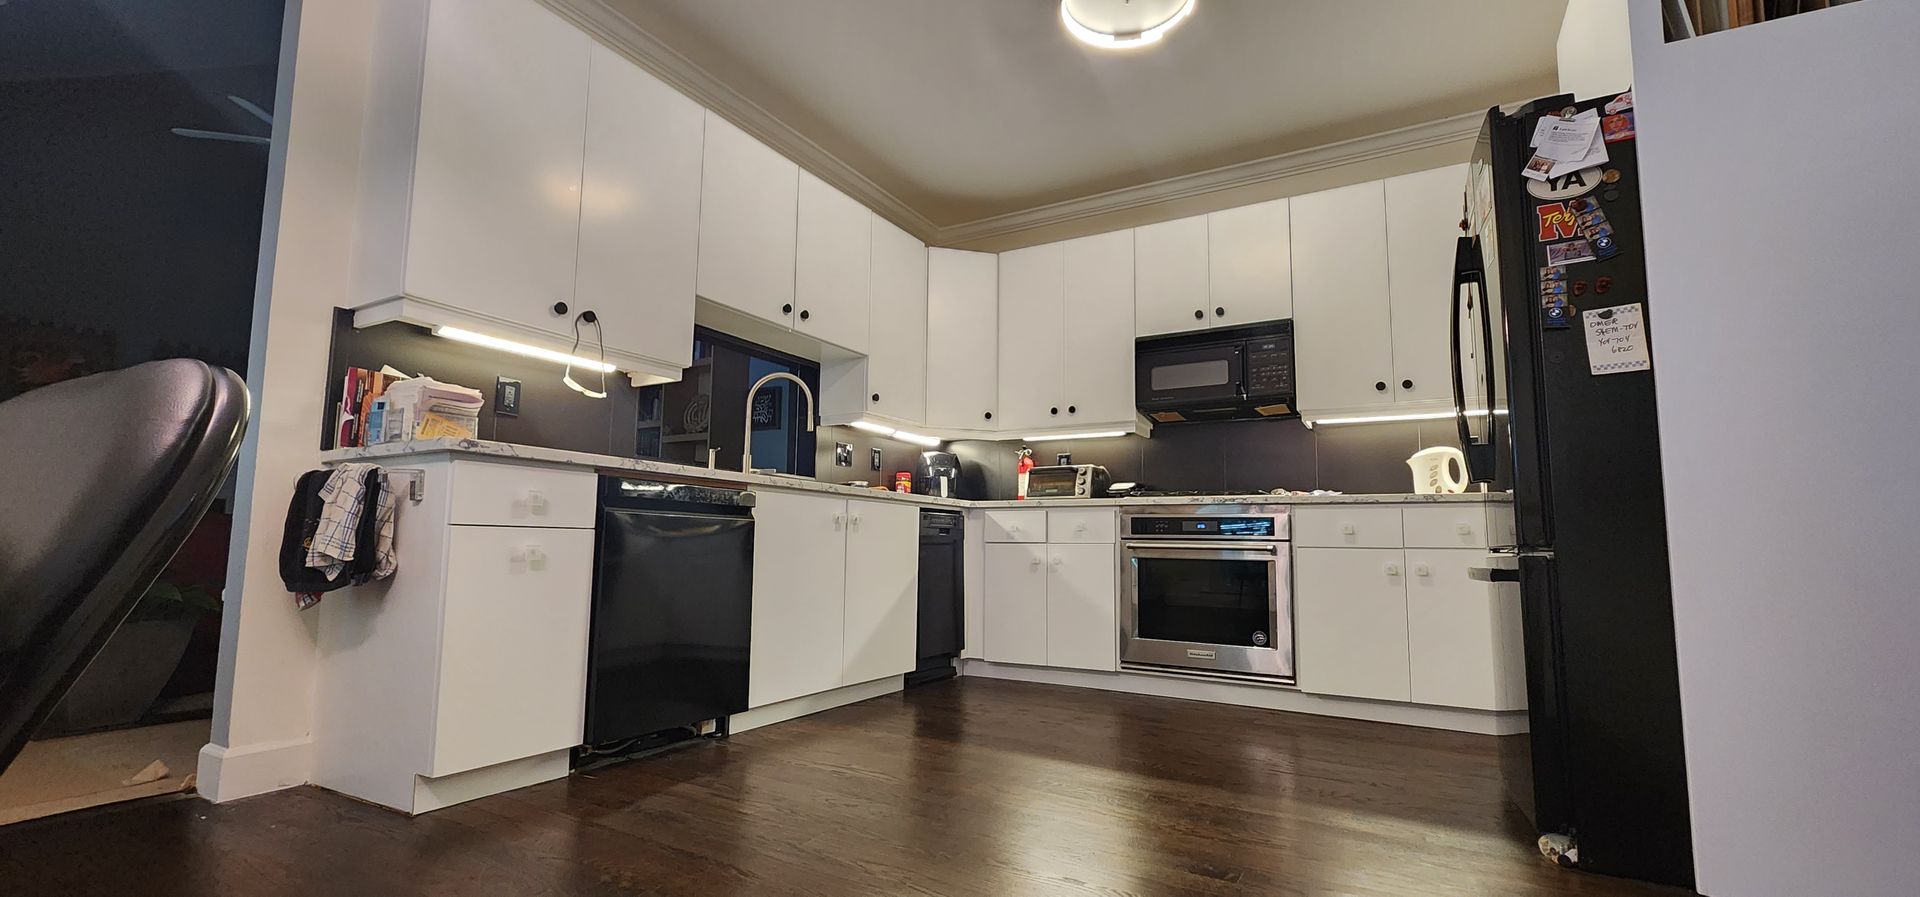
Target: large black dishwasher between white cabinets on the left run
673, 610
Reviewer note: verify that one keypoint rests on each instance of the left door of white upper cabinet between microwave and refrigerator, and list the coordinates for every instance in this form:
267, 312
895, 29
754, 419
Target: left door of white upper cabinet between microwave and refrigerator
1343, 337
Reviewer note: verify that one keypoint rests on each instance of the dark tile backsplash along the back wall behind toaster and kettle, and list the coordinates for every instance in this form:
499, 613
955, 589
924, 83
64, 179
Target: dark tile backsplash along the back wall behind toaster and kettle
1232, 456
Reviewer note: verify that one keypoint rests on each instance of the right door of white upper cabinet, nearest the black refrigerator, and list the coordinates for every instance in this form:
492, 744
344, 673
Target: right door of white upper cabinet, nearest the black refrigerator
1424, 214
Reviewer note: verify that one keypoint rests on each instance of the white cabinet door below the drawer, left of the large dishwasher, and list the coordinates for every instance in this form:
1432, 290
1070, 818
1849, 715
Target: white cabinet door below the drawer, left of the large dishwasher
514, 646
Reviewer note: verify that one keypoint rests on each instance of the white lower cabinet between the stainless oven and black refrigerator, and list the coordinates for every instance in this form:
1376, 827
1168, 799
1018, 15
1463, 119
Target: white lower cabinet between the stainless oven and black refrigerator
1399, 623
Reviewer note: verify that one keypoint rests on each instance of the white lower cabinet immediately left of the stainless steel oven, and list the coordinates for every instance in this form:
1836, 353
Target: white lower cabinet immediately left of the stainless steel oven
1051, 604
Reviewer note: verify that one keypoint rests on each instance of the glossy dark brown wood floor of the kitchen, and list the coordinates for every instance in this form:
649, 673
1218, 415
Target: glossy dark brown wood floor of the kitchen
961, 788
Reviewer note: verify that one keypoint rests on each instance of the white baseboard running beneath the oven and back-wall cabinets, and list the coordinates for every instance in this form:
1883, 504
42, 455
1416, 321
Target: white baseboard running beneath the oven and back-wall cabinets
1485, 723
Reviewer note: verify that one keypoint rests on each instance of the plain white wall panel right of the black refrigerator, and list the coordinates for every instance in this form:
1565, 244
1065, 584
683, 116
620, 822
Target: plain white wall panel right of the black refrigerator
1787, 349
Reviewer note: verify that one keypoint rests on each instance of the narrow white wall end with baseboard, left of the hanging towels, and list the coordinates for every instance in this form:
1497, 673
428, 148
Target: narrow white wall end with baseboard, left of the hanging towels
264, 692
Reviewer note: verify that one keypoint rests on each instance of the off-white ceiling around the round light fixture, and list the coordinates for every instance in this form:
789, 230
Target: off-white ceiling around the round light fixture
974, 109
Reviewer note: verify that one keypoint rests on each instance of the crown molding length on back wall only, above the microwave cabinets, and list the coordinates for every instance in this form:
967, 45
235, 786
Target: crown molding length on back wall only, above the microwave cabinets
1226, 178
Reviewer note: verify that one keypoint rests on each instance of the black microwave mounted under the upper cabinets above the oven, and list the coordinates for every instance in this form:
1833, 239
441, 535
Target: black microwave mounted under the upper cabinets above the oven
1218, 376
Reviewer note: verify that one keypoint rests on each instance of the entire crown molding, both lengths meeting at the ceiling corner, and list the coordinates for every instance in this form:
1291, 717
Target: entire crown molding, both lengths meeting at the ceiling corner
650, 53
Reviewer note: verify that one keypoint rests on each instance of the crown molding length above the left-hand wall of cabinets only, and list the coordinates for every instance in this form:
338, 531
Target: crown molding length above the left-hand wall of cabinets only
667, 64
